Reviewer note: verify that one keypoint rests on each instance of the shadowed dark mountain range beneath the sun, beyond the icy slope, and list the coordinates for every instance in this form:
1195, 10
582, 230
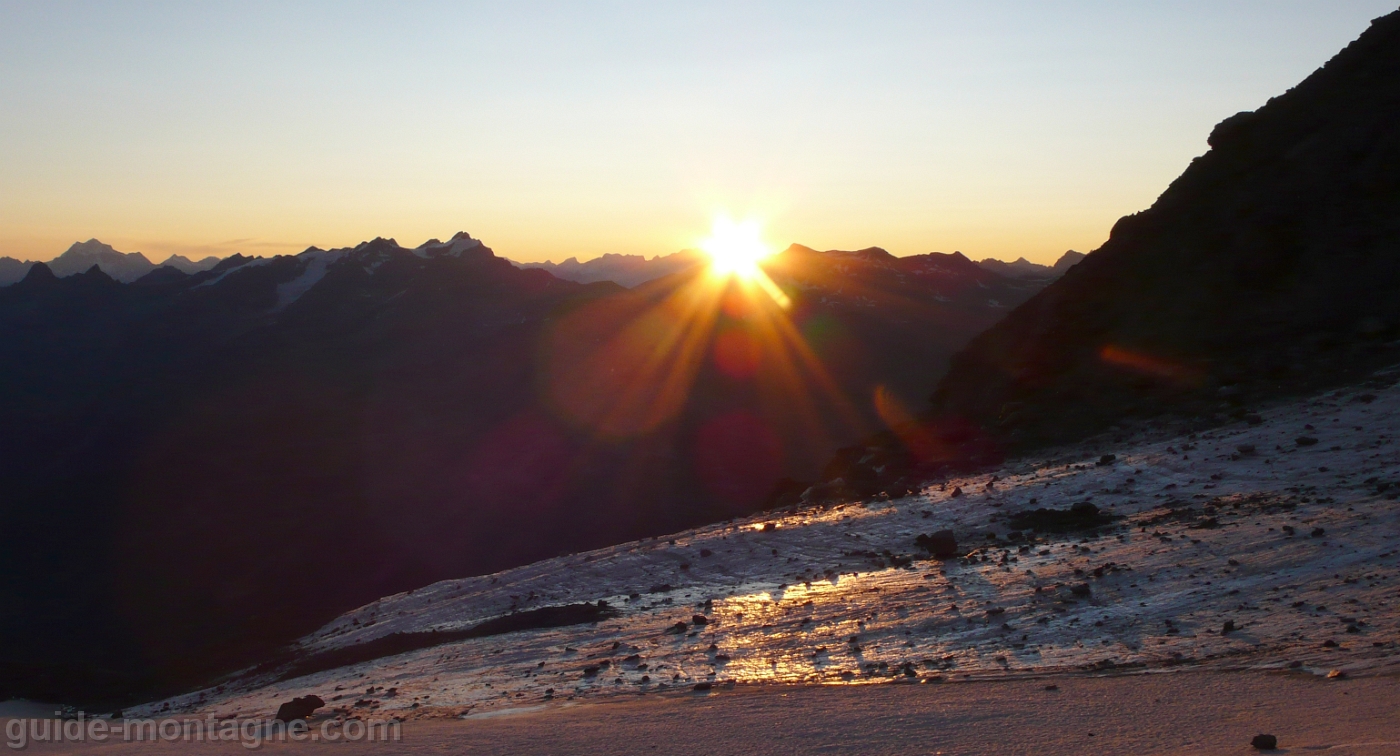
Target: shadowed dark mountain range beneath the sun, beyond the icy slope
202, 467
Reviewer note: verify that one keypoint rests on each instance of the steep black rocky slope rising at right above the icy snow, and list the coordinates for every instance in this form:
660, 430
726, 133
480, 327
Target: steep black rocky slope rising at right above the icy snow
1272, 265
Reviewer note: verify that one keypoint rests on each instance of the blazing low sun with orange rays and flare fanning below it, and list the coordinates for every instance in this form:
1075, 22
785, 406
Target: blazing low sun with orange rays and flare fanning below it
632, 367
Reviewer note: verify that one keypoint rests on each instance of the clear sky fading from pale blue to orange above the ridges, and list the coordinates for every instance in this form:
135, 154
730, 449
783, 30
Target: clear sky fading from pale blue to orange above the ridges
575, 129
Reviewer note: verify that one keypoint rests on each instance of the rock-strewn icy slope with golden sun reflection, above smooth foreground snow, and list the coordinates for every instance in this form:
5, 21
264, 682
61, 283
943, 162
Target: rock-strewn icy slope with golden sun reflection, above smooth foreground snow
793, 605
